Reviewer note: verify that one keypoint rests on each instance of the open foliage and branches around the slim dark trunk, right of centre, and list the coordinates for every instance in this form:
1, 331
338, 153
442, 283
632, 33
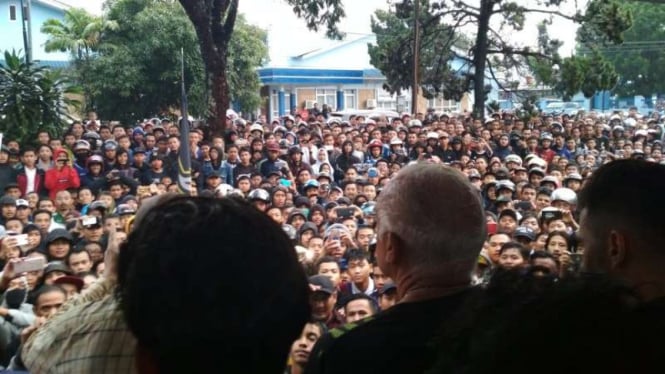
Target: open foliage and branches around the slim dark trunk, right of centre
493, 56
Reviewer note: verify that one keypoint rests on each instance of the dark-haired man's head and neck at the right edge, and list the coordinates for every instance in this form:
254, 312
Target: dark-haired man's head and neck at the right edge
621, 226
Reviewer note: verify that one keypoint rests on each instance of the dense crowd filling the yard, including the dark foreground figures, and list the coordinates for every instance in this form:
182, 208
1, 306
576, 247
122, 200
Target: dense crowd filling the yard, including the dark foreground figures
365, 231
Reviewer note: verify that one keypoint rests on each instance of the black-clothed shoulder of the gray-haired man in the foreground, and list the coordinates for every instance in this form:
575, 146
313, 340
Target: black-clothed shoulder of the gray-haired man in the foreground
392, 341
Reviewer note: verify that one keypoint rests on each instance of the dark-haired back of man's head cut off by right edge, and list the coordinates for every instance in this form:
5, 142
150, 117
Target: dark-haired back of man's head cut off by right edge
625, 197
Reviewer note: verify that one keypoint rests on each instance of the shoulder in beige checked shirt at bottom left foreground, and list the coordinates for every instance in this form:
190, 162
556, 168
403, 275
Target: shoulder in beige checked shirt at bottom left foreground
88, 335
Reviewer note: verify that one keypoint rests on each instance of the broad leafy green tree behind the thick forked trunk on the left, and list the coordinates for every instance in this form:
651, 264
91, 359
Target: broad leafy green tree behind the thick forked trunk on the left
139, 76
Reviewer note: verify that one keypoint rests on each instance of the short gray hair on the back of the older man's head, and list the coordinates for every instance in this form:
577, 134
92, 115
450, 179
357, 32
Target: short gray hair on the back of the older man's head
436, 212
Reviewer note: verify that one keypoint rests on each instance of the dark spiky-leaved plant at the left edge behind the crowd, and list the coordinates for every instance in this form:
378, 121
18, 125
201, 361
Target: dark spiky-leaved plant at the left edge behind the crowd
33, 98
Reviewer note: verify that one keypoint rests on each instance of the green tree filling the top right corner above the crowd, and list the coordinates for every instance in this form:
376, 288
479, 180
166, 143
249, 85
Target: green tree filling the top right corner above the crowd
640, 60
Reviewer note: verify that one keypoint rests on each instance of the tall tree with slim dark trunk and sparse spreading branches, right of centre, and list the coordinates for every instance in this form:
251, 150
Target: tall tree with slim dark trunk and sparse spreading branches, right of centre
493, 57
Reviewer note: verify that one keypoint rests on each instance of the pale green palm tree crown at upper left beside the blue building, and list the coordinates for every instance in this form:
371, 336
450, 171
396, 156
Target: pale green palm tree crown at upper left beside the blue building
80, 33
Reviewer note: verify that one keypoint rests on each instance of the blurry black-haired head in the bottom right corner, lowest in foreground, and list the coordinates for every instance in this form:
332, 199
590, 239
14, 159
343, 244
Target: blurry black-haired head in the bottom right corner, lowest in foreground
529, 325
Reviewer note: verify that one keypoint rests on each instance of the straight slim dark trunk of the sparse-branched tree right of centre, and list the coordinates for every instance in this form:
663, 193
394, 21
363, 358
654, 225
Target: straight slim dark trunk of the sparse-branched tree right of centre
480, 58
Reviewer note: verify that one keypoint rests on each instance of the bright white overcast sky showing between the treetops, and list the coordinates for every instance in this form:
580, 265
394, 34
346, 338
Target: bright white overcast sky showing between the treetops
277, 17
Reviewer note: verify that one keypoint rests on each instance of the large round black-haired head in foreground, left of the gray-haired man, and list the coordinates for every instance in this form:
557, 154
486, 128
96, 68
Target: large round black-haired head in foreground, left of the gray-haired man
211, 285
